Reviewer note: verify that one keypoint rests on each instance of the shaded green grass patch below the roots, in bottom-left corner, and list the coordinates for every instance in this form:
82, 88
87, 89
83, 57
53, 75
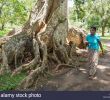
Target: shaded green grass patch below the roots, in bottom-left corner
10, 83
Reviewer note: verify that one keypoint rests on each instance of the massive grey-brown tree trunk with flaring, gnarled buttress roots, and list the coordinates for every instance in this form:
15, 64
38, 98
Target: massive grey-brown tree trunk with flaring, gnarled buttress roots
44, 33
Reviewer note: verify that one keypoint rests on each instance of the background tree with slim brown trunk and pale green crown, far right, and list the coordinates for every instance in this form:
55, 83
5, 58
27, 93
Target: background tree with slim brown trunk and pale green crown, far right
102, 9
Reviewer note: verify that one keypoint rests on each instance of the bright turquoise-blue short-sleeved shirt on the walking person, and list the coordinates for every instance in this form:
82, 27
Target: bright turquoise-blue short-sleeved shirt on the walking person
93, 41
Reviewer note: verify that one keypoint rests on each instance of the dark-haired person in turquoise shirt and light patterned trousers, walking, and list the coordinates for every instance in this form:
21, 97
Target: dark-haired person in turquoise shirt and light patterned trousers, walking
93, 42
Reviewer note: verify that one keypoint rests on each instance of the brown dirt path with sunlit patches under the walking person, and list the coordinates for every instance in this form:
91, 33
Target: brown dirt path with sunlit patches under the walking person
70, 80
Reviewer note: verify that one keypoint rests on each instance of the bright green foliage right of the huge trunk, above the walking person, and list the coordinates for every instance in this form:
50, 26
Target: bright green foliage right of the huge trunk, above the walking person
91, 12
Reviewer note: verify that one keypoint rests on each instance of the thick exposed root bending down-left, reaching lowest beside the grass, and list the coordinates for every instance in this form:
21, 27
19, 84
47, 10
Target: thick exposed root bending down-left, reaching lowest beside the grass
30, 79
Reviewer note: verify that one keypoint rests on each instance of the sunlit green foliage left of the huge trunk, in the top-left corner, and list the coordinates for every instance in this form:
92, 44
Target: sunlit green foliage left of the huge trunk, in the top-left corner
14, 12
